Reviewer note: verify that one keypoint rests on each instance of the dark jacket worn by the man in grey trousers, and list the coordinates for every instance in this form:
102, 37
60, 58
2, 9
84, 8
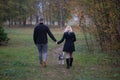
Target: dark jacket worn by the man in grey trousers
40, 34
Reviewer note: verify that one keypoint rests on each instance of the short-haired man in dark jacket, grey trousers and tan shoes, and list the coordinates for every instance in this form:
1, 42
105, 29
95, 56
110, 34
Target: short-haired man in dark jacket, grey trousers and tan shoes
41, 41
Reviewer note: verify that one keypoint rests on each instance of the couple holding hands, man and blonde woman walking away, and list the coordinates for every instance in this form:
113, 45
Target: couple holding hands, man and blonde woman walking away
41, 41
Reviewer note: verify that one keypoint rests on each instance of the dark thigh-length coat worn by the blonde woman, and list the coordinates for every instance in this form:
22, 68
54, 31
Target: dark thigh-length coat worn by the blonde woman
69, 38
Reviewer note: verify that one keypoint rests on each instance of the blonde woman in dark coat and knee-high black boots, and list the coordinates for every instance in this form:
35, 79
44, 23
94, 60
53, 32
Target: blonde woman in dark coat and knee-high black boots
69, 37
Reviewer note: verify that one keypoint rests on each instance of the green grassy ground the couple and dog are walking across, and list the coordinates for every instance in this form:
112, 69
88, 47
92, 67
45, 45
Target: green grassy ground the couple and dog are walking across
19, 60
